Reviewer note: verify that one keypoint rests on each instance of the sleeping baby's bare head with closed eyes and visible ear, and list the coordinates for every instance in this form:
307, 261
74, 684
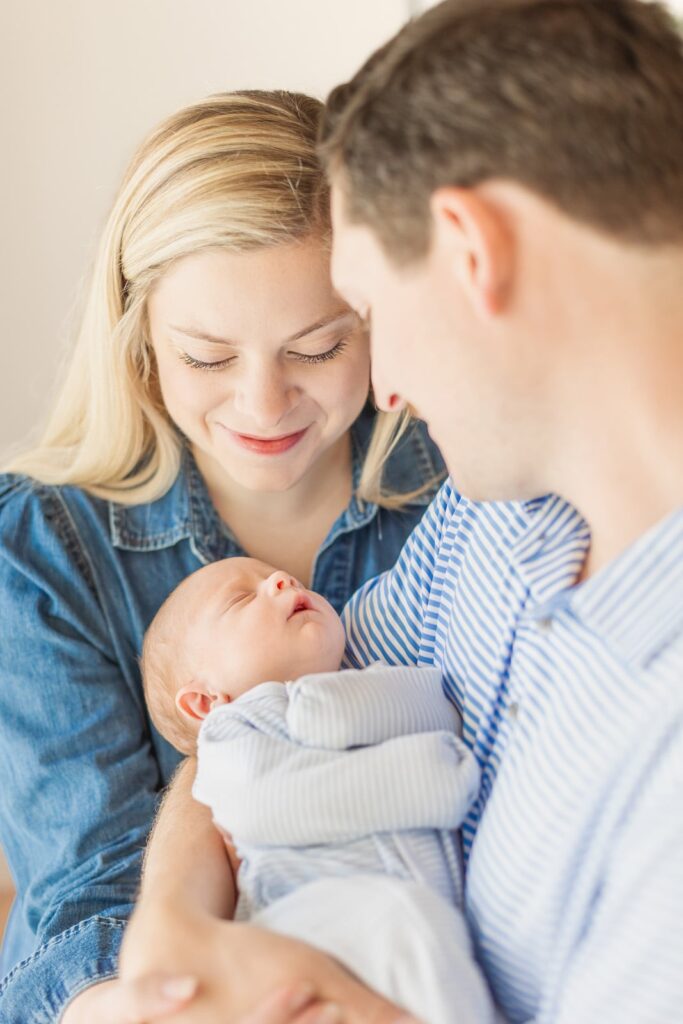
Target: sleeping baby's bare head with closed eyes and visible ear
226, 629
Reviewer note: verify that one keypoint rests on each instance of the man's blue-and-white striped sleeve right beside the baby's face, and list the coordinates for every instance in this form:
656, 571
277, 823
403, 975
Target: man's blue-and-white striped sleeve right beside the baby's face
385, 620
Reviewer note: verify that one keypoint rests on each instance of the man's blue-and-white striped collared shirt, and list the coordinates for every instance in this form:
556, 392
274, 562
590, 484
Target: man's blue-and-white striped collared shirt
572, 699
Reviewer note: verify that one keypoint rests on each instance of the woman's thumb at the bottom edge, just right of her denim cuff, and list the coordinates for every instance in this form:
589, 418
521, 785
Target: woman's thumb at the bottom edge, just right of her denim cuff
148, 999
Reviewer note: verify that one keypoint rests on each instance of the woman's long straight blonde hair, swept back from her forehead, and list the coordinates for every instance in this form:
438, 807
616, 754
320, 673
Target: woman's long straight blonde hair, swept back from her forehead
238, 170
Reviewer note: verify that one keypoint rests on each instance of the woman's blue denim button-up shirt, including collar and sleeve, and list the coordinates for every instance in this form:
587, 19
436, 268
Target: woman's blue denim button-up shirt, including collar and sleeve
81, 765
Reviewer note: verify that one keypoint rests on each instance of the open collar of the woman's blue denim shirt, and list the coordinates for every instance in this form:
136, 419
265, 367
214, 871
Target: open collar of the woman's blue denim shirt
187, 513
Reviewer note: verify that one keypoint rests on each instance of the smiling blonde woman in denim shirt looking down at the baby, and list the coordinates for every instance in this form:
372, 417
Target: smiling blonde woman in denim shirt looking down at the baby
216, 404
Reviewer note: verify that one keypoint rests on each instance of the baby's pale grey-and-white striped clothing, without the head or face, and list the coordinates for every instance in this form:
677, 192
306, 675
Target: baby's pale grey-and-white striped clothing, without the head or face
344, 793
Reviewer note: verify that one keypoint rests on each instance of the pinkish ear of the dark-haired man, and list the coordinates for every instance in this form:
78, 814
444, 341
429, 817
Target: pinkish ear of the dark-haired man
475, 238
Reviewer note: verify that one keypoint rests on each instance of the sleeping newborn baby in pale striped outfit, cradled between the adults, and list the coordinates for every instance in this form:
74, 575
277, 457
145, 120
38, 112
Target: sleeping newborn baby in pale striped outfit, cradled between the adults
341, 790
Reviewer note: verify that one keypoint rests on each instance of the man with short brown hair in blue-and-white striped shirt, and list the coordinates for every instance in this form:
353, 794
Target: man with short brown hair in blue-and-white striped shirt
508, 210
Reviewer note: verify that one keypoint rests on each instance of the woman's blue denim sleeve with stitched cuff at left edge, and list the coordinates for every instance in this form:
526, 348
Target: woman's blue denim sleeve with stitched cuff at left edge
79, 777
